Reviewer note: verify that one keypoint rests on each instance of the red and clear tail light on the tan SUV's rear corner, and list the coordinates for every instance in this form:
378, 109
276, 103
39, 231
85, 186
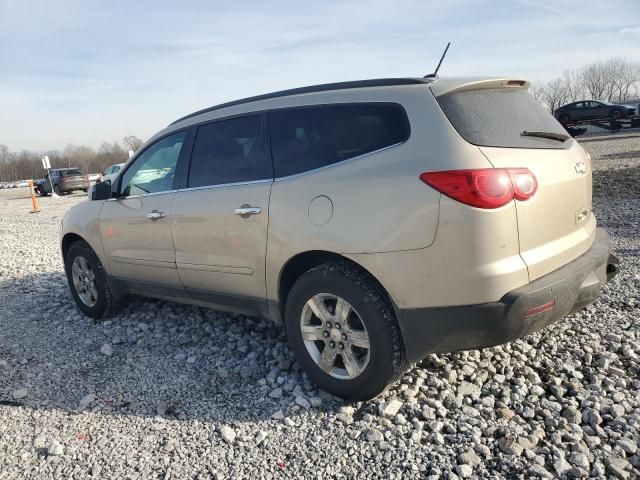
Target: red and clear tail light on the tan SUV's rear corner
484, 188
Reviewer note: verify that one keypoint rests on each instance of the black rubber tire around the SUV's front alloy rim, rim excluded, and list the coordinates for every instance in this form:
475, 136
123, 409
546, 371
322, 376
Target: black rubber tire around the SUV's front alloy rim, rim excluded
106, 303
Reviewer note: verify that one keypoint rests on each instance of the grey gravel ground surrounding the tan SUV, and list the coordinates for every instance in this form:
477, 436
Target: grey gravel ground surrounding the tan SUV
171, 391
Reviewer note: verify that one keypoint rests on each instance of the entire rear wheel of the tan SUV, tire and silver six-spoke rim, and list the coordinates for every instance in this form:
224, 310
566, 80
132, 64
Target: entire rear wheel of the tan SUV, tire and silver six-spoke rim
343, 332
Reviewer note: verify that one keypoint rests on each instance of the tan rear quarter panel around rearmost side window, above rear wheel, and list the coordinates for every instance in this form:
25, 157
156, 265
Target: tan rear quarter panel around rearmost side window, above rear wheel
378, 202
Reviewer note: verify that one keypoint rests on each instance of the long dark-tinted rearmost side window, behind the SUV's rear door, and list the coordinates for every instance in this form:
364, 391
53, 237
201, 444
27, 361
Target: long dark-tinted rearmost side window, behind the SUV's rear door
307, 138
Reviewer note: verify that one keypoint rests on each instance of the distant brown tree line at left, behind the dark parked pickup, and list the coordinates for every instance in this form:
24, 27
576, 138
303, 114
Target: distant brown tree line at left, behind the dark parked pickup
26, 164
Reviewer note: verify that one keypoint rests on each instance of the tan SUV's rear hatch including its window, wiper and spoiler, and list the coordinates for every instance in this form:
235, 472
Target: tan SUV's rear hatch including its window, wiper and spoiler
556, 225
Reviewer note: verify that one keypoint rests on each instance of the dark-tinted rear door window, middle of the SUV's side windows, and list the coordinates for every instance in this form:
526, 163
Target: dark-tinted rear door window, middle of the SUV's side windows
230, 151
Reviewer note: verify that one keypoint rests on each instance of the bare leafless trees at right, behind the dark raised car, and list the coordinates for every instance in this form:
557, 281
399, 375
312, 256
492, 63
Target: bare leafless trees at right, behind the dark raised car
614, 80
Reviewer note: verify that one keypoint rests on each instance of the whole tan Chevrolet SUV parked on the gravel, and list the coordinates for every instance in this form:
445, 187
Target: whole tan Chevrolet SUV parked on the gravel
379, 220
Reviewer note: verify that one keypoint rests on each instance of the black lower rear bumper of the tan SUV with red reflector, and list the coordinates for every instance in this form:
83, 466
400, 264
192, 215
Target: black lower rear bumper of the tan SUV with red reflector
518, 313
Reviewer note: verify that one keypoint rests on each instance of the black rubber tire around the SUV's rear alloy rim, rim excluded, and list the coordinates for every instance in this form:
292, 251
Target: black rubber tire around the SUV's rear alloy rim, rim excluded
387, 361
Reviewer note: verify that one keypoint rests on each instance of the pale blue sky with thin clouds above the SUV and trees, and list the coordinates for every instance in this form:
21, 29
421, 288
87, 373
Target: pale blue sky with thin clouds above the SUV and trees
84, 72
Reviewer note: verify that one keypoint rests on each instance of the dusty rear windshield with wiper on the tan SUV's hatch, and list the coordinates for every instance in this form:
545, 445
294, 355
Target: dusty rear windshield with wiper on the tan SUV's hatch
497, 118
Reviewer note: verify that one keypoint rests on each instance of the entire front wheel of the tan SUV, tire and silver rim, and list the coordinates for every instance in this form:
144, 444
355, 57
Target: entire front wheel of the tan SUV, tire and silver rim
88, 282
